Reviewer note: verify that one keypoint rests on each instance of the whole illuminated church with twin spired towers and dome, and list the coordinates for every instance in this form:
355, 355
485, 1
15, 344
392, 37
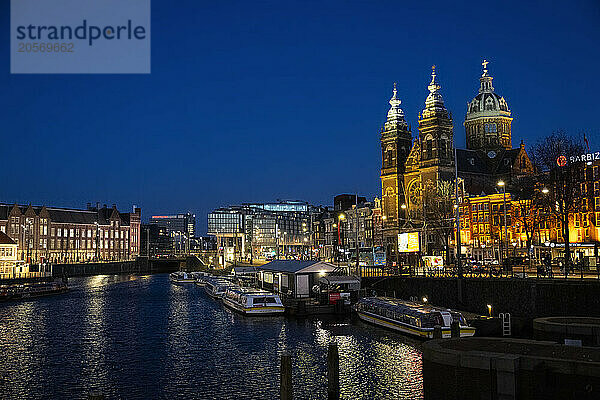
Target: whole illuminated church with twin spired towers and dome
412, 168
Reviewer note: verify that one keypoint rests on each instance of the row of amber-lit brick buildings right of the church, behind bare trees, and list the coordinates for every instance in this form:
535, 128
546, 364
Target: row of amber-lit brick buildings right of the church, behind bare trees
482, 224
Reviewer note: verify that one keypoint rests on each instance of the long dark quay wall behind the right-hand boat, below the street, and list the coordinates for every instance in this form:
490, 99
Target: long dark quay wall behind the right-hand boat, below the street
525, 298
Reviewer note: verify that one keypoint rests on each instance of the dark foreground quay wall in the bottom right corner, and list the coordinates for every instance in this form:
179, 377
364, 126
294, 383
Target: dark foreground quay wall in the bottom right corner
493, 368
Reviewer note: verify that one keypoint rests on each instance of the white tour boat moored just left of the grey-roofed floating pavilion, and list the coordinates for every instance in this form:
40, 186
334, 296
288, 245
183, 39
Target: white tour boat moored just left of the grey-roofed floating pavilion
253, 302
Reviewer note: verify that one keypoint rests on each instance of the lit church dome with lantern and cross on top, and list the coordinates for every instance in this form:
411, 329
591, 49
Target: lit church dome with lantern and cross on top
488, 121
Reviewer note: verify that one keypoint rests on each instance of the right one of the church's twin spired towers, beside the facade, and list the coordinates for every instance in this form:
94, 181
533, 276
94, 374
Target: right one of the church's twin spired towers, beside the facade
432, 157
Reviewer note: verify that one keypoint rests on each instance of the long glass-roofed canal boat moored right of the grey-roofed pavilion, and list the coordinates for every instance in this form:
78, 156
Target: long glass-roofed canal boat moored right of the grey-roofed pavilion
412, 318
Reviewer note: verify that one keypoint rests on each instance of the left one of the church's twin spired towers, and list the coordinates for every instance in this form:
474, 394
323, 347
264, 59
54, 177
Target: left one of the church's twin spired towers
396, 140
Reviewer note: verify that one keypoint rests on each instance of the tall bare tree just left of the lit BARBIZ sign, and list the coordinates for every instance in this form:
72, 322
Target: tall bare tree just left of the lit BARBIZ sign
555, 157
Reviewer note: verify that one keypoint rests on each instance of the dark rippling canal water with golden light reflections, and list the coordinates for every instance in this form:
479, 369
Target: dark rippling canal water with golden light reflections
141, 337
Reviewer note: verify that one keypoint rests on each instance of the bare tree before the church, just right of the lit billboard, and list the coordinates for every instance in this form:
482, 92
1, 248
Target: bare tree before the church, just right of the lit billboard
438, 208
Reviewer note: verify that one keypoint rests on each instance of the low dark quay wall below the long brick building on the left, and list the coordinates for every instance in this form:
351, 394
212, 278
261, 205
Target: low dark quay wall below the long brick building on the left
139, 266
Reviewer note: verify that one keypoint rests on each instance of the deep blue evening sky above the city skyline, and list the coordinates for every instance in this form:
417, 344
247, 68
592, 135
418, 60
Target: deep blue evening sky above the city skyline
257, 101
